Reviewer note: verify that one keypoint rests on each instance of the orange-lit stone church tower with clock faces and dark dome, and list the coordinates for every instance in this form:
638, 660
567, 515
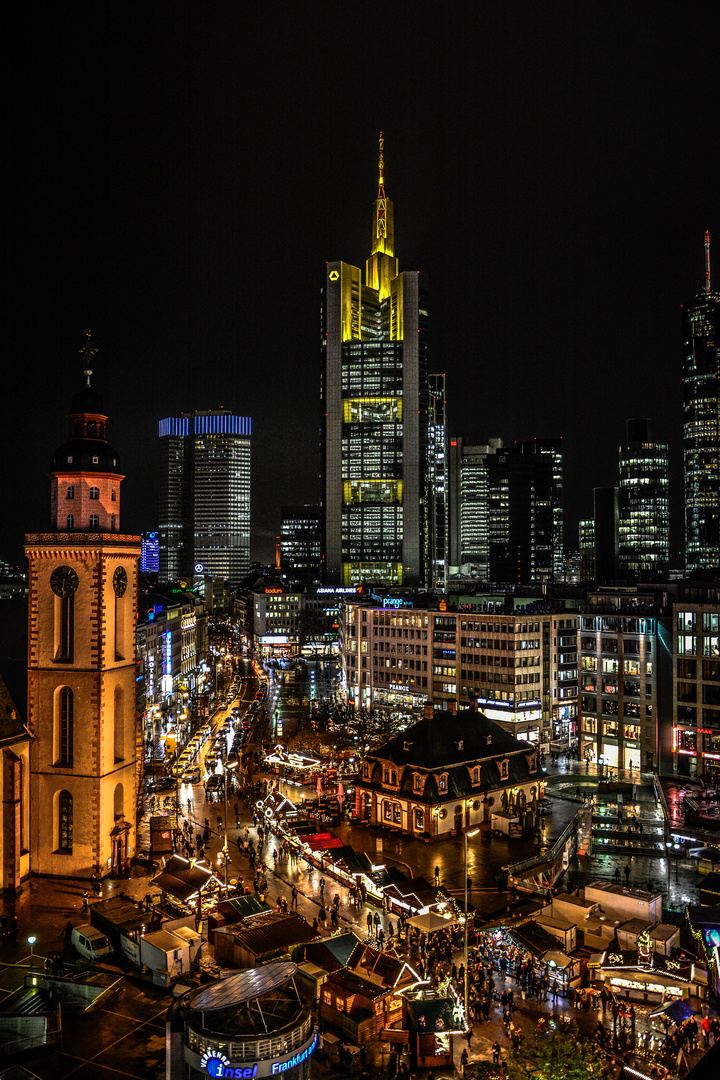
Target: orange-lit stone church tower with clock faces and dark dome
86, 757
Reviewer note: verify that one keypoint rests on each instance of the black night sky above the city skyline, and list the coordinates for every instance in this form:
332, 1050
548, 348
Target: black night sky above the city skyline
182, 172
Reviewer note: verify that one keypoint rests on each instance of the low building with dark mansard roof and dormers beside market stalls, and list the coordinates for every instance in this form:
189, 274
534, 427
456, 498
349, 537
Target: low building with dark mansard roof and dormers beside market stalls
449, 774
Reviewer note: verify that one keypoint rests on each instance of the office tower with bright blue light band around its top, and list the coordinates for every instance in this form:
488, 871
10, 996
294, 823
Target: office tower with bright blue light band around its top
206, 496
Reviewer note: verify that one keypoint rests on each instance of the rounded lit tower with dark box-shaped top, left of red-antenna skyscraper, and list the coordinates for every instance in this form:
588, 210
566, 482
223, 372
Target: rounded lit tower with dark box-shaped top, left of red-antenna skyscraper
644, 546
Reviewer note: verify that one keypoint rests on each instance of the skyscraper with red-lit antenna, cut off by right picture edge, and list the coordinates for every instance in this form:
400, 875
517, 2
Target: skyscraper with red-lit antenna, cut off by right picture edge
702, 428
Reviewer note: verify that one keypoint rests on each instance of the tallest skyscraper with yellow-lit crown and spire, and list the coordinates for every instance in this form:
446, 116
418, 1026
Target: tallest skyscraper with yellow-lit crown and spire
375, 415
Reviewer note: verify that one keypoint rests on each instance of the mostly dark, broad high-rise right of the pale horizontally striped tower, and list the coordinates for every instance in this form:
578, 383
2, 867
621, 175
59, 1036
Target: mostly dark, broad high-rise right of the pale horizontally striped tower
525, 515
